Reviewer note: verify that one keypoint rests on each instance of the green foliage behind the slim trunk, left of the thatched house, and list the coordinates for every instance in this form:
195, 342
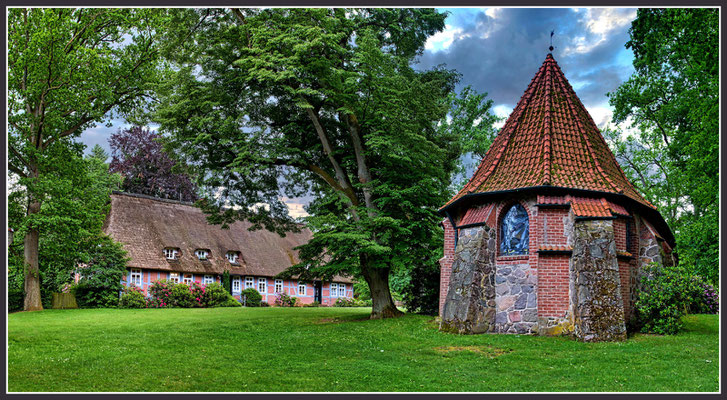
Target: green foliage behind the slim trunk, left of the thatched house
69, 221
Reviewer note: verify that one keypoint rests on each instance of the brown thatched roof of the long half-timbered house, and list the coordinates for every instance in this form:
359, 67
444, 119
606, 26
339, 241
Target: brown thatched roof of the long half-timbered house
146, 226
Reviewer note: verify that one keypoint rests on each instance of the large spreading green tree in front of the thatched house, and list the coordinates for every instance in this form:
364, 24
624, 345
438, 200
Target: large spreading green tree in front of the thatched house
322, 101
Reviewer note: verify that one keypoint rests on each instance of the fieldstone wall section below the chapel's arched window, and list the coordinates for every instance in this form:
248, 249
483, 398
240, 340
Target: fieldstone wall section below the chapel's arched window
516, 299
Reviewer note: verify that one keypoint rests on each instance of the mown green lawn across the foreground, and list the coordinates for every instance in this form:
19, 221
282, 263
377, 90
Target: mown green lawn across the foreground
334, 349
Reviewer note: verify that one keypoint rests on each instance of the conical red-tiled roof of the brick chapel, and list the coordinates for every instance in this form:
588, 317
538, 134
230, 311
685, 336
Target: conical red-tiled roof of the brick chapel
550, 140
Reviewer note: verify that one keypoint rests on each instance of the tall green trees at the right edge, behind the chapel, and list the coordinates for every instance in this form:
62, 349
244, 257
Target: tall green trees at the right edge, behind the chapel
673, 100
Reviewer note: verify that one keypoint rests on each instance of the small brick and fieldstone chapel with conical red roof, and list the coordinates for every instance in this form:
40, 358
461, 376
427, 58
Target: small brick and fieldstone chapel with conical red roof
548, 236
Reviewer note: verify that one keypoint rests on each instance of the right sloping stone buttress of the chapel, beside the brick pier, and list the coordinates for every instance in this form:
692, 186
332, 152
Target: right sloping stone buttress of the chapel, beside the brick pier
597, 302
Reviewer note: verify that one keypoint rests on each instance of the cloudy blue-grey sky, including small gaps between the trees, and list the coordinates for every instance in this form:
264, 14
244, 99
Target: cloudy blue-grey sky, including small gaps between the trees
499, 50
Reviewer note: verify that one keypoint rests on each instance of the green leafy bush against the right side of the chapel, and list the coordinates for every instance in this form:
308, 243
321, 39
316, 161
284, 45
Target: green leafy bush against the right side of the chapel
663, 297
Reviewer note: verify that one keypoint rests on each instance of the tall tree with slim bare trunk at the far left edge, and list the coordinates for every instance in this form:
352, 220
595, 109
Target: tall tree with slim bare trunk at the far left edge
68, 69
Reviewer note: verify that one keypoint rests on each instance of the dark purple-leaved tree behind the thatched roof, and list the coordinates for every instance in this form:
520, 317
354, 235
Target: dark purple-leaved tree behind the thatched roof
138, 155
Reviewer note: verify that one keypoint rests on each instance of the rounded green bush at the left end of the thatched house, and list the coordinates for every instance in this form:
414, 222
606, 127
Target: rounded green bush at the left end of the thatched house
101, 276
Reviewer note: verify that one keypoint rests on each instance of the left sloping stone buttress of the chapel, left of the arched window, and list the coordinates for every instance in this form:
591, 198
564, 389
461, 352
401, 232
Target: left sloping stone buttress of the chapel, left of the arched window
470, 303
